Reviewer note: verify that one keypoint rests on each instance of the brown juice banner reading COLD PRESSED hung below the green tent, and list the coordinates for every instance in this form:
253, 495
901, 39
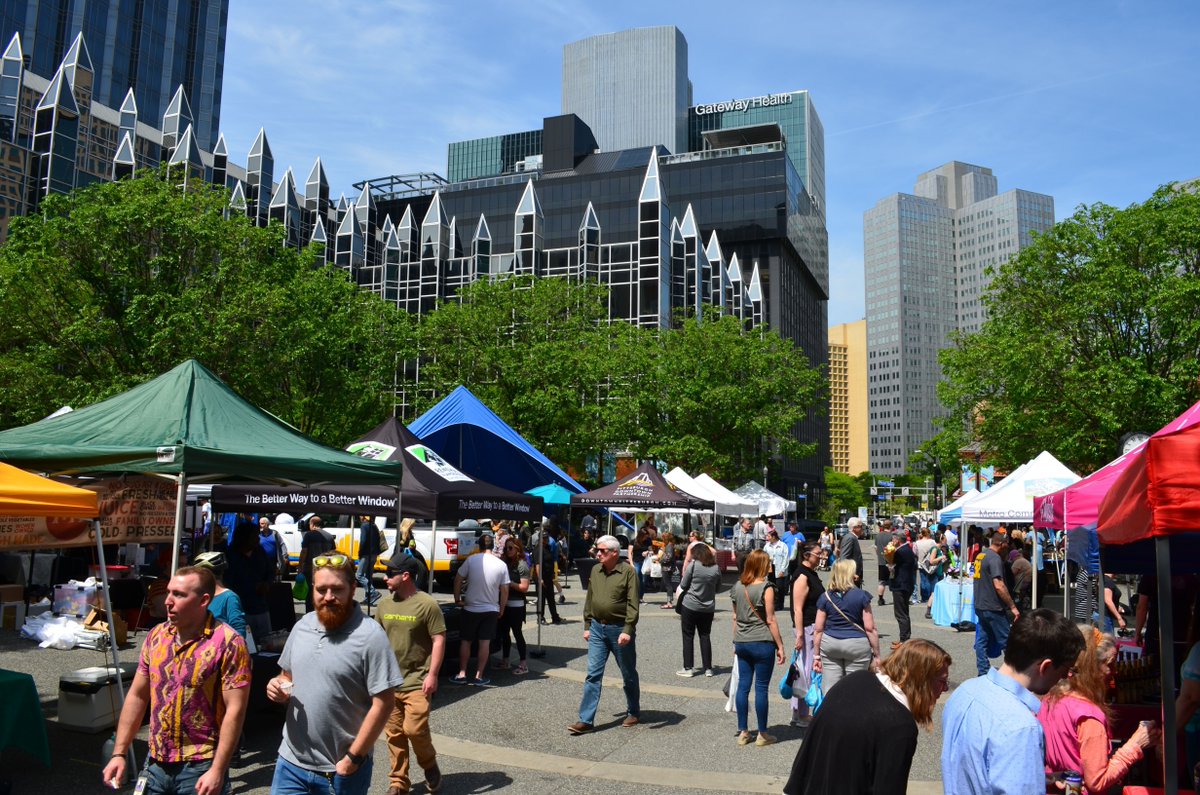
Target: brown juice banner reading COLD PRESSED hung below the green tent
131, 511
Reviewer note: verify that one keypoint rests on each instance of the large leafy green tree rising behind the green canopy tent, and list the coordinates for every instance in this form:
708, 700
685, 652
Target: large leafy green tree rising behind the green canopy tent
117, 283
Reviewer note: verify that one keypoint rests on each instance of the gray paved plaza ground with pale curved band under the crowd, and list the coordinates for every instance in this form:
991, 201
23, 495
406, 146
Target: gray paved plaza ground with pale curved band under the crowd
513, 734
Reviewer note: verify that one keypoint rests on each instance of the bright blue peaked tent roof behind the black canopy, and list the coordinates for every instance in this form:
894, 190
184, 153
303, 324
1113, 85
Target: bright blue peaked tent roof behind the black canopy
471, 437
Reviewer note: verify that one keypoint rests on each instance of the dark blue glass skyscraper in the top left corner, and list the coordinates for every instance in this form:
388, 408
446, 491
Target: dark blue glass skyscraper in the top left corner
151, 47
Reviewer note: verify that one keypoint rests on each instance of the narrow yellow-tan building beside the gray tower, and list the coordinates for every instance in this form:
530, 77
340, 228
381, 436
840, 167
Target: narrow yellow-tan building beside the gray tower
848, 398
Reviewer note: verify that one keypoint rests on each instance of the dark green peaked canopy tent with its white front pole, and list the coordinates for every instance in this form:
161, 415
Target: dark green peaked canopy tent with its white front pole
190, 427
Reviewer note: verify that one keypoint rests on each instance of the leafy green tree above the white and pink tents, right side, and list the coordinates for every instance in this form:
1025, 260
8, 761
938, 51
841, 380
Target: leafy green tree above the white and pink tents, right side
1094, 331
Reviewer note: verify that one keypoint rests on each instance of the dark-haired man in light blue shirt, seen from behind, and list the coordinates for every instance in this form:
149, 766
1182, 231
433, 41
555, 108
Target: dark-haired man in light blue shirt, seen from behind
993, 743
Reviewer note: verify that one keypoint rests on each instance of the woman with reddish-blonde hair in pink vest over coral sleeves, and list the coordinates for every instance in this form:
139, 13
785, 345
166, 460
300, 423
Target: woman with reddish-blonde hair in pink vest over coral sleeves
1076, 719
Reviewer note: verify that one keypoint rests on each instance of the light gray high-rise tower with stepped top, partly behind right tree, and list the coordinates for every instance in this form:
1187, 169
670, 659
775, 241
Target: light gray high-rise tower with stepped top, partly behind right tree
927, 256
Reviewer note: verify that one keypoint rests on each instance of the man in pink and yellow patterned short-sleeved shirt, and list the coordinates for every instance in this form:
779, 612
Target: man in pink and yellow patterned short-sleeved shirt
195, 676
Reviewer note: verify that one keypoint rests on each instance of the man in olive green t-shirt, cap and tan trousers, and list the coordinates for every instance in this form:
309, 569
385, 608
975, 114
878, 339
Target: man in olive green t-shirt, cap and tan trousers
418, 632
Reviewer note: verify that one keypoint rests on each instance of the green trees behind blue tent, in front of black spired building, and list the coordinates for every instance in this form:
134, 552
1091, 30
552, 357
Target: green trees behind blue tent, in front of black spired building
543, 355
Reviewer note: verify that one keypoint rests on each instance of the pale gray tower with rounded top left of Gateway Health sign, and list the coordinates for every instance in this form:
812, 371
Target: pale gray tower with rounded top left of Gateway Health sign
631, 88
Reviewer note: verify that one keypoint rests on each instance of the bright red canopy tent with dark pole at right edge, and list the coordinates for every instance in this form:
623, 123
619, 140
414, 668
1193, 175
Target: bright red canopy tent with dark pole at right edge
1159, 497
